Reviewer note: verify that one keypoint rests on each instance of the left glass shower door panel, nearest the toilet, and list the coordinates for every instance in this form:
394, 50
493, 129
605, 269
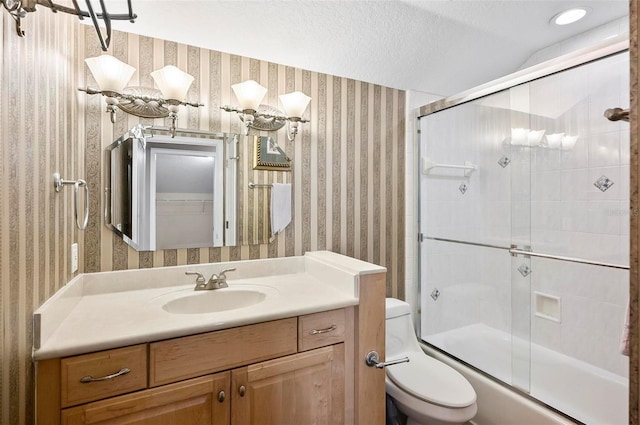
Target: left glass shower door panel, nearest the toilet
470, 307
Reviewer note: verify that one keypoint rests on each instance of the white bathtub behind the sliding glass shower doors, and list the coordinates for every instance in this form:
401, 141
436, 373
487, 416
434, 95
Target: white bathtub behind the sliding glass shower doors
582, 391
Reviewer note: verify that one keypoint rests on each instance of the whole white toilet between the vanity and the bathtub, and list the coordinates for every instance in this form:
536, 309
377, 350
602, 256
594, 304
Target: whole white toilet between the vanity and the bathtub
426, 390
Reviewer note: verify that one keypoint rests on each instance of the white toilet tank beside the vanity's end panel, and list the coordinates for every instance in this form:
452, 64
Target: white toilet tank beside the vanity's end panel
400, 335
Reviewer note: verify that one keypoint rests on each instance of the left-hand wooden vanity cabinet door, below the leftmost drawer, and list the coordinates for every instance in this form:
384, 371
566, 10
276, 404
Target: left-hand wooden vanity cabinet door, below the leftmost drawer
200, 401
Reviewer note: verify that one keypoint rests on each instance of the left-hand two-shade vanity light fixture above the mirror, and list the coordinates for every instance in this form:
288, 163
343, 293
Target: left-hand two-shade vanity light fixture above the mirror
112, 75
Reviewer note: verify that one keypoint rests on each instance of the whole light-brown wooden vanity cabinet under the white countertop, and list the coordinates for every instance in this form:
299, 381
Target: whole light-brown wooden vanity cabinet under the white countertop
301, 370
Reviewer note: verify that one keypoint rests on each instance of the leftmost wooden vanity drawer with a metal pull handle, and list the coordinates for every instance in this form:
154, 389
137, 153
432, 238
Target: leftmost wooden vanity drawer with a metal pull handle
80, 375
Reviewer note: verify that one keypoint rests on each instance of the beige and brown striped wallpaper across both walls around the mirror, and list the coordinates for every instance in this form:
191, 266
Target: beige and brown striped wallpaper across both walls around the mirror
348, 169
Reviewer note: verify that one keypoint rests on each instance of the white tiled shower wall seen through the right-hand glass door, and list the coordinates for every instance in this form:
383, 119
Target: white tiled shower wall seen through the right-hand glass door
571, 216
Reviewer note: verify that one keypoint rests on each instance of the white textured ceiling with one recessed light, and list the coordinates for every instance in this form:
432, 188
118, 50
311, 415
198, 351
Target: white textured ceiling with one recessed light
439, 47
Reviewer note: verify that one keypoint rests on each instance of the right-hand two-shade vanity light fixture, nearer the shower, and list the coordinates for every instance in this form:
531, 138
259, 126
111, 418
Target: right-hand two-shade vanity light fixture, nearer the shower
264, 117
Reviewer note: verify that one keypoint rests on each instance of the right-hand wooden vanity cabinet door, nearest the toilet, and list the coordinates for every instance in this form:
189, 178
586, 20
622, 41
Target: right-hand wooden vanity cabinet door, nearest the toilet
301, 389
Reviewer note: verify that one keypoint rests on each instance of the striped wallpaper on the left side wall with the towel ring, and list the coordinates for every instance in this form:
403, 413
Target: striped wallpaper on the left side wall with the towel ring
40, 128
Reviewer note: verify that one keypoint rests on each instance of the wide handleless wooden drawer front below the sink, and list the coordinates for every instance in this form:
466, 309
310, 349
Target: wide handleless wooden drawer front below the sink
182, 358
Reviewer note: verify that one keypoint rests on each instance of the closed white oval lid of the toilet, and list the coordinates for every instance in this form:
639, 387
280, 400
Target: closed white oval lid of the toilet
432, 381
